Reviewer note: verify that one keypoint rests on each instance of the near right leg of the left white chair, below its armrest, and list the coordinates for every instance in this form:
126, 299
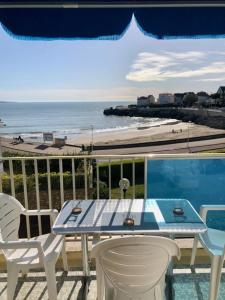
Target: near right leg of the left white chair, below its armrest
51, 280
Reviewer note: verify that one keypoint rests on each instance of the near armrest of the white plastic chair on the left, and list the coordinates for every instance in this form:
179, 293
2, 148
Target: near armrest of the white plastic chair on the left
23, 244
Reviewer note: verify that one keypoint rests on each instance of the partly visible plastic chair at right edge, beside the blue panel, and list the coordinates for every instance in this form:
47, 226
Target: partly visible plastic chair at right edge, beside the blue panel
213, 242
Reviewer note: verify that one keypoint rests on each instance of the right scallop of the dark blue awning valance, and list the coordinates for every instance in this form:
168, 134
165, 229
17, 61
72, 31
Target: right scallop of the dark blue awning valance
185, 22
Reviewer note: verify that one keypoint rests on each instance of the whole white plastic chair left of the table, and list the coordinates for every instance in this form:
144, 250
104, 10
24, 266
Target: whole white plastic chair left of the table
25, 254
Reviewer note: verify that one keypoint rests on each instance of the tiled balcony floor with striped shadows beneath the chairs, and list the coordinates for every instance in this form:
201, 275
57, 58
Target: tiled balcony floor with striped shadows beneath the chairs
187, 285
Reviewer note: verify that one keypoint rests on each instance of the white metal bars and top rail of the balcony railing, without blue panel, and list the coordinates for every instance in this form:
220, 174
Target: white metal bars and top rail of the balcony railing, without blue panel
87, 167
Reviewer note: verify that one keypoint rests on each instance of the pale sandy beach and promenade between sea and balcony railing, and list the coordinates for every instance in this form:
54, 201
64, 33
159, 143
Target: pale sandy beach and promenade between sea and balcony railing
175, 130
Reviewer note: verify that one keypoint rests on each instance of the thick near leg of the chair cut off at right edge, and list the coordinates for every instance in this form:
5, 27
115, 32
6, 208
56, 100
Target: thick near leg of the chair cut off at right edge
213, 288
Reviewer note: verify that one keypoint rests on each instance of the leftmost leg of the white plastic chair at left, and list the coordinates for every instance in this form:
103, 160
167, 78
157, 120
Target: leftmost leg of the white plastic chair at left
13, 273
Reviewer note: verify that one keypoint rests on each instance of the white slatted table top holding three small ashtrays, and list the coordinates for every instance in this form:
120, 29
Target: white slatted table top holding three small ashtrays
107, 216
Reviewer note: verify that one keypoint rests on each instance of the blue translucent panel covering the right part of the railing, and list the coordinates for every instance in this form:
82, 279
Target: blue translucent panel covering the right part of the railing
201, 181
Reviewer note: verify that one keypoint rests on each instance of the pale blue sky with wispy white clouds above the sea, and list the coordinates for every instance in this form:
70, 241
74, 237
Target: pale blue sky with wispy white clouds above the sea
108, 70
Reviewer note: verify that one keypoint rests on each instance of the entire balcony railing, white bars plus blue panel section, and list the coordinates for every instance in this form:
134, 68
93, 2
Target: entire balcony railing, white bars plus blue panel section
47, 182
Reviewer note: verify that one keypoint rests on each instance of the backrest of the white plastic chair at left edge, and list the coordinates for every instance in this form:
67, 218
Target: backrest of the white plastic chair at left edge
10, 210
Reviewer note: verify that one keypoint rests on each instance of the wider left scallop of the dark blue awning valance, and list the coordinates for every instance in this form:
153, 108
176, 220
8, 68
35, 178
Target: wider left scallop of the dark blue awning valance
66, 23
